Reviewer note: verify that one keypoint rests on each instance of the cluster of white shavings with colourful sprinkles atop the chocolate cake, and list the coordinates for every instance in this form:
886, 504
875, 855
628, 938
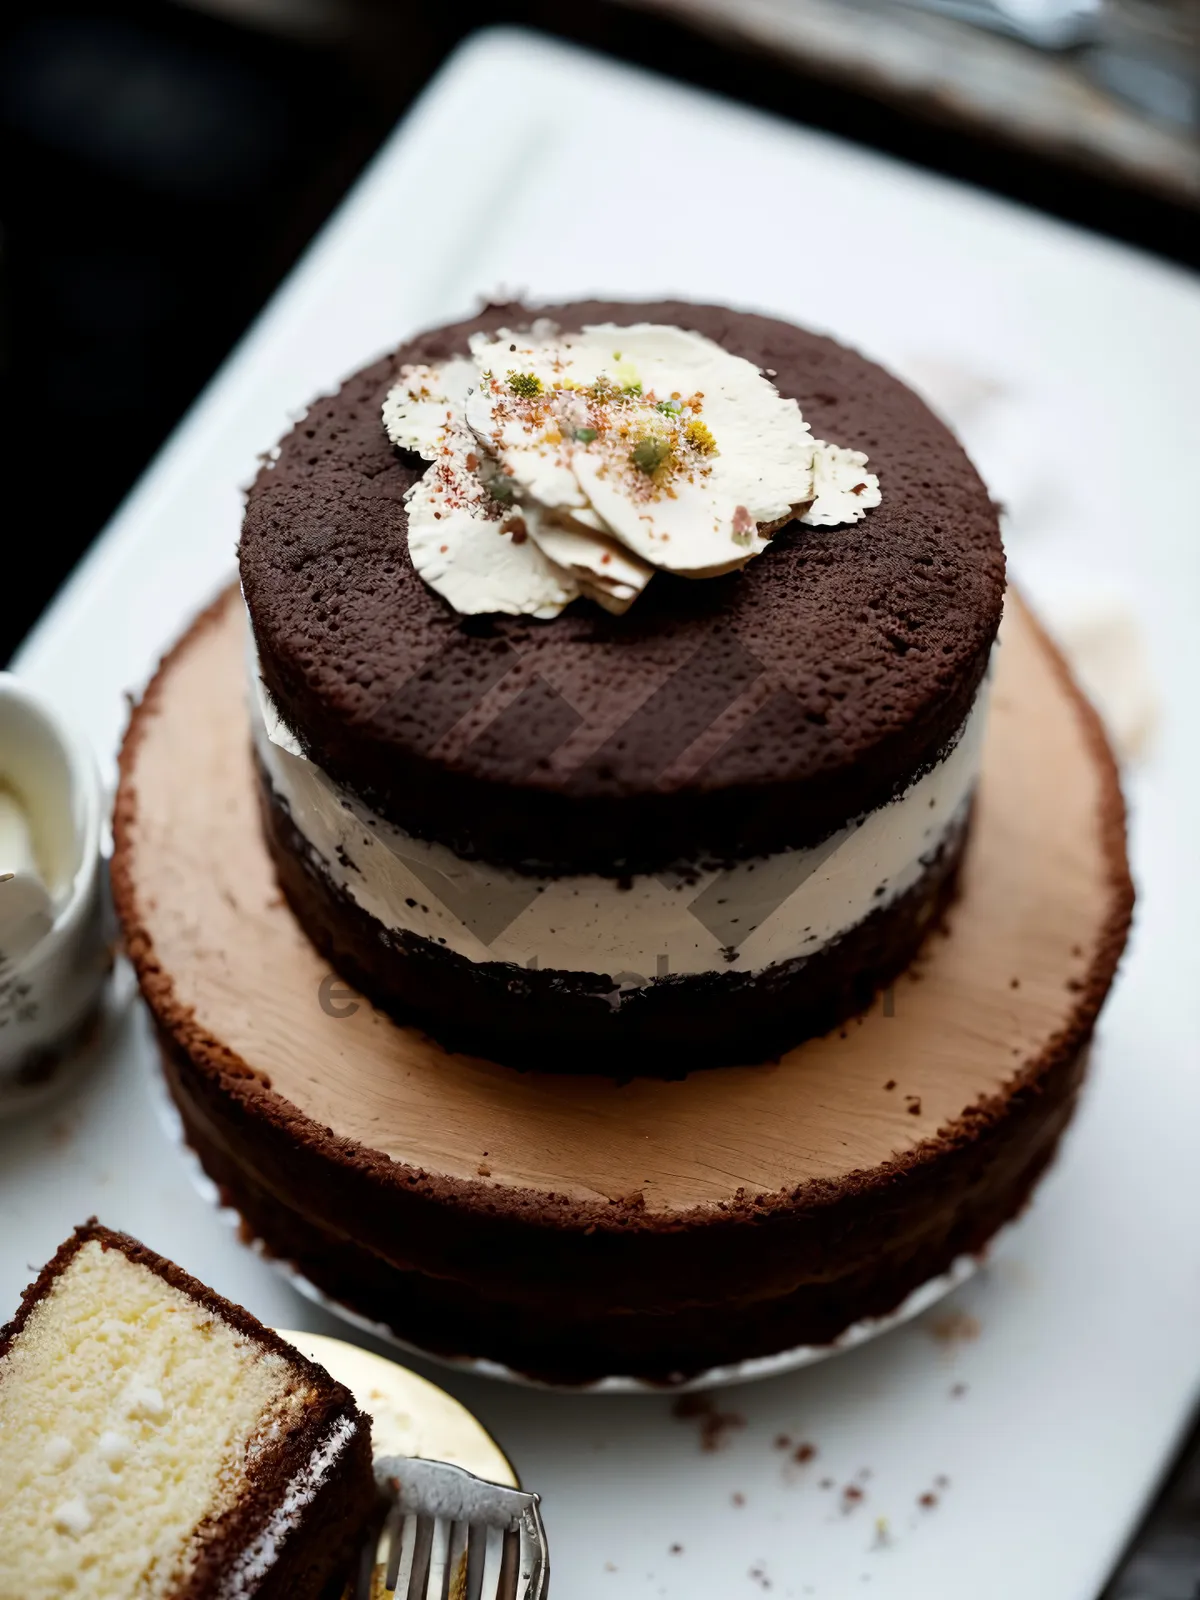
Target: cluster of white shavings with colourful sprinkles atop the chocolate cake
582, 463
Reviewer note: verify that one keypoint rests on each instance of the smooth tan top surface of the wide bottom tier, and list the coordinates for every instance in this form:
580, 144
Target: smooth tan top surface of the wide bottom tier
1030, 943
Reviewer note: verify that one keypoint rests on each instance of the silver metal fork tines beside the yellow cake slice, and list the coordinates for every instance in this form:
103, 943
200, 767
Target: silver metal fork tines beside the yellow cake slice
447, 1535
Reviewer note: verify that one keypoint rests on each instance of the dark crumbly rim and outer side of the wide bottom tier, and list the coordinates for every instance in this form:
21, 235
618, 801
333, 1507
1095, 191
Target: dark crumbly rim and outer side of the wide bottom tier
615, 1263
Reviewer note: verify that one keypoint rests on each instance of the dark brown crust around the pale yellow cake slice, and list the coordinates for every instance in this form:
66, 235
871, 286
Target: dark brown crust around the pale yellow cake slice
322, 1545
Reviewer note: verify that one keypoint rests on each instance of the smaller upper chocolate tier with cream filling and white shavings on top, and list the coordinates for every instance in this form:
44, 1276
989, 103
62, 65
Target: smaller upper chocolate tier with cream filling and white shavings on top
700, 810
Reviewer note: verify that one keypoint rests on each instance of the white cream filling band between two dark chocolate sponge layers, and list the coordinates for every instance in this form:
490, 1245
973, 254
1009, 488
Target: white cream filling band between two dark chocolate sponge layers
742, 919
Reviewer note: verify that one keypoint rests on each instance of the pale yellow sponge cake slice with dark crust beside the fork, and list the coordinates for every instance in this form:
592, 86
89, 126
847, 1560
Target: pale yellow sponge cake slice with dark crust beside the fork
161, 1444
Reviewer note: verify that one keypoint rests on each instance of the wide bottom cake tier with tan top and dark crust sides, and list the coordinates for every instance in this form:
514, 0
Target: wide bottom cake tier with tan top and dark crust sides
575, 1226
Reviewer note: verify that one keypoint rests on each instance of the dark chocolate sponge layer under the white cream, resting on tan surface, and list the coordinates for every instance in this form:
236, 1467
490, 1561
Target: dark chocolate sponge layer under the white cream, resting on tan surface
564, 1022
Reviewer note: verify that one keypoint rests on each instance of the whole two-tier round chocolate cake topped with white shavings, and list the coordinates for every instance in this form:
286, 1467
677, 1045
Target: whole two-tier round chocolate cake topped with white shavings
622, 697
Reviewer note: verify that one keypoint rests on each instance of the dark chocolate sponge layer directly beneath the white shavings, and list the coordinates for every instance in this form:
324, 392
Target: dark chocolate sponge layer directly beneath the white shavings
718, 719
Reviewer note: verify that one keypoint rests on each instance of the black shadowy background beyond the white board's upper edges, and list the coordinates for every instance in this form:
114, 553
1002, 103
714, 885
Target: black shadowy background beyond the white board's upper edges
166, 164
